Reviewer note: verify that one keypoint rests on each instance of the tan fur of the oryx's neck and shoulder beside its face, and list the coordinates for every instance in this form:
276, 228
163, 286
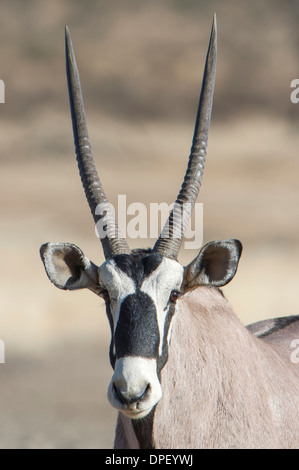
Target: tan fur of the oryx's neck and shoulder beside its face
222, 386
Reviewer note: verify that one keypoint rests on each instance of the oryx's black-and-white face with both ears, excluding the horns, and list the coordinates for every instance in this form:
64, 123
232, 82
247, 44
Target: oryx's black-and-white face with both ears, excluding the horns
142, 292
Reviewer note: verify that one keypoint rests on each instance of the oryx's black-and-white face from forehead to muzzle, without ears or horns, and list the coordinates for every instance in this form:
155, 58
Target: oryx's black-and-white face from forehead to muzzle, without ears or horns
140, 292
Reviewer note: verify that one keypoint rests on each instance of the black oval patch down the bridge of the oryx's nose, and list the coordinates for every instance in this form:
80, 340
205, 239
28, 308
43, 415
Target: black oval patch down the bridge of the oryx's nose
137, 332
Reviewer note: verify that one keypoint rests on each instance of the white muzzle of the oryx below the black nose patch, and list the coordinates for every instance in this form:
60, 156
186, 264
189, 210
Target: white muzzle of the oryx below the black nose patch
132, 376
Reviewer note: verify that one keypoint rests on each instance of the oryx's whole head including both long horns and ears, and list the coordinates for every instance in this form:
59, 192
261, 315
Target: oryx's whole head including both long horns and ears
141, 288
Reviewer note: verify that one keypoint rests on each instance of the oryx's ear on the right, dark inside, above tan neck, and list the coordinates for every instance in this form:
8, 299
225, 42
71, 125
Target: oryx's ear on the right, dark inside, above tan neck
216, 264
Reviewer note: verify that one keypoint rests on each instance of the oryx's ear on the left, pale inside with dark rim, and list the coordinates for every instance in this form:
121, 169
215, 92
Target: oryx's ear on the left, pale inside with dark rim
68, 268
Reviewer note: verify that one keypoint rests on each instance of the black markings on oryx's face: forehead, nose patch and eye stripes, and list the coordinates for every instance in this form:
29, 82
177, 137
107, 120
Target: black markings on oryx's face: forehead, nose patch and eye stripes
137, 331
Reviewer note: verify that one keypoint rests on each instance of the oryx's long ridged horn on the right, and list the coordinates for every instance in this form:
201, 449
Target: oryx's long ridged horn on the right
170, 240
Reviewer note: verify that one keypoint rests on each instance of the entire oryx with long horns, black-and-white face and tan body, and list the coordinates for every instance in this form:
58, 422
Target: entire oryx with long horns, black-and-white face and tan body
187, 373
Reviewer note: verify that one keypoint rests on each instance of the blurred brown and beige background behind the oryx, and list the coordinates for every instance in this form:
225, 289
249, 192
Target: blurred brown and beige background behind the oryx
141, 65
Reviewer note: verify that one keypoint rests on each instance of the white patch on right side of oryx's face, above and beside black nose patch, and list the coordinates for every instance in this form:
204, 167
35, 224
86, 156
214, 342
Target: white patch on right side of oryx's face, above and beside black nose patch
159, 285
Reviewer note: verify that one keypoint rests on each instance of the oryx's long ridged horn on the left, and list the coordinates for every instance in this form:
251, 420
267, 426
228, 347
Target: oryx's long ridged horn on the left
112, 243
